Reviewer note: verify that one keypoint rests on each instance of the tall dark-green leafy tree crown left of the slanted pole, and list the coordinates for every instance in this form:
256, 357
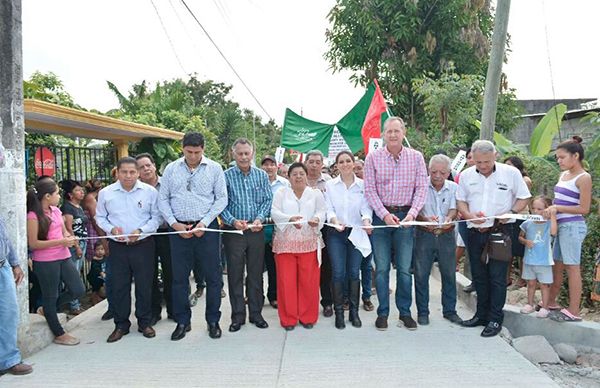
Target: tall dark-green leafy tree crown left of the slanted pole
397, 41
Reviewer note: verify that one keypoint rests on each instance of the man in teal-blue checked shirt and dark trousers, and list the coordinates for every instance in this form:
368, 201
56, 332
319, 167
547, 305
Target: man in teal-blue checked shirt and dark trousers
250, 198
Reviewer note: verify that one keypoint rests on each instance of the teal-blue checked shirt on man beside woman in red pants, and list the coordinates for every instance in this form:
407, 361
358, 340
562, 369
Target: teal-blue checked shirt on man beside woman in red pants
250, 195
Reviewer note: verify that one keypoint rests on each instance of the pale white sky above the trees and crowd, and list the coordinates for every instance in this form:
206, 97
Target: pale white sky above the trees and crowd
276, 46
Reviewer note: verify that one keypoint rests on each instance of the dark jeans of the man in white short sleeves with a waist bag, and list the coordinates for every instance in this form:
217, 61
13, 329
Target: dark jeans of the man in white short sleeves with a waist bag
489, 279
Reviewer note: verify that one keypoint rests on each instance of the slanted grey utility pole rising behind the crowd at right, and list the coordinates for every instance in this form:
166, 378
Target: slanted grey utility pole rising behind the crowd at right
492, 79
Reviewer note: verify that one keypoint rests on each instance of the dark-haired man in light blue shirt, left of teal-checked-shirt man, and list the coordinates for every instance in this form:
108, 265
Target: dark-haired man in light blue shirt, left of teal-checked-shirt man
192, 194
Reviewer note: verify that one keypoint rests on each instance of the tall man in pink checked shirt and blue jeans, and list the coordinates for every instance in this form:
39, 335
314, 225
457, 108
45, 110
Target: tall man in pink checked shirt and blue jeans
396, 188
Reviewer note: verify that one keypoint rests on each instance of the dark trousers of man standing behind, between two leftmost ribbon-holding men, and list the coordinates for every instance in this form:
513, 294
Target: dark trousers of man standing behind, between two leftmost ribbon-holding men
162, 254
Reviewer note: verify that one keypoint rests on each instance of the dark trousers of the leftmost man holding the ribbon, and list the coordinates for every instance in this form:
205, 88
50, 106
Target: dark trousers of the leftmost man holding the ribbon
127, 262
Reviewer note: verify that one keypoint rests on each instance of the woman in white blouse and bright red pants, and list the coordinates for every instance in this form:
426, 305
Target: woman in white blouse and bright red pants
295, 247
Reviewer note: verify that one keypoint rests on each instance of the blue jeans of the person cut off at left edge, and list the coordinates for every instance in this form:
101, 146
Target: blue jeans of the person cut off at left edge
9, 316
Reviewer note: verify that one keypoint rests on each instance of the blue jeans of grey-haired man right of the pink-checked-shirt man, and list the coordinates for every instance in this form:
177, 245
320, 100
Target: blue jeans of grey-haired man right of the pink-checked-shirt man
429, 247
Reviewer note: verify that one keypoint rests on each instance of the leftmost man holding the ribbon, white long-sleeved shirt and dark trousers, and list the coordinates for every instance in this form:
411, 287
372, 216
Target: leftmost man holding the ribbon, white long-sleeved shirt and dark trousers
130, 207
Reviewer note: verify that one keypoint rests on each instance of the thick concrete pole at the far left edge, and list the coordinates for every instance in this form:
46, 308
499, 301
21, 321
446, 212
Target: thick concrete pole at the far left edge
12, 153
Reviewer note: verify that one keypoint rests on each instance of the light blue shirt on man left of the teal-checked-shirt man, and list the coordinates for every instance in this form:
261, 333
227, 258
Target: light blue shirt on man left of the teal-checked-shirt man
186, 195
